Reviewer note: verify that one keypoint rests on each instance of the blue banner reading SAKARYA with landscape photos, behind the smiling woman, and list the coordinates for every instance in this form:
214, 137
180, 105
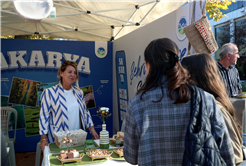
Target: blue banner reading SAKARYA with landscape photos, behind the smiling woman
27, 67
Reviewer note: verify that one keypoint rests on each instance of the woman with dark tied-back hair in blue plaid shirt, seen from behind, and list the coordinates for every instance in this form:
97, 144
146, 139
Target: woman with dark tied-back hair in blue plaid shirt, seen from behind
158, 116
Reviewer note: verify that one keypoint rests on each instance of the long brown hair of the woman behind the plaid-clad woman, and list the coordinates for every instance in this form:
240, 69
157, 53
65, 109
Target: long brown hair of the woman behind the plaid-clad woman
204, 74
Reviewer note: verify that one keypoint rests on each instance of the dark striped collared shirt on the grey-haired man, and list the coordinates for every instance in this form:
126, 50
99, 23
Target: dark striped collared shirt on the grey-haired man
231, 79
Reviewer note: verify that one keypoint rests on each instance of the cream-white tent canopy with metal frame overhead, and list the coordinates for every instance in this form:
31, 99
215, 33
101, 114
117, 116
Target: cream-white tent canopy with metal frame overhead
88, 20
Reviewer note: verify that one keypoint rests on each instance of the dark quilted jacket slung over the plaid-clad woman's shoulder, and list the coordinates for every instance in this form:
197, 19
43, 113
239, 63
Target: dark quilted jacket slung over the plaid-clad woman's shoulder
200, 145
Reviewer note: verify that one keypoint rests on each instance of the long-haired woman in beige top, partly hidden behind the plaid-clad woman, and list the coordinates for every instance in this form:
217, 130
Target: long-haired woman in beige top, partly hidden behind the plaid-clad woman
205, 75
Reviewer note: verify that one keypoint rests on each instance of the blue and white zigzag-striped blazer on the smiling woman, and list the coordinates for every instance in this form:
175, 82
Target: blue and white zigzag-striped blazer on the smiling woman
53, 115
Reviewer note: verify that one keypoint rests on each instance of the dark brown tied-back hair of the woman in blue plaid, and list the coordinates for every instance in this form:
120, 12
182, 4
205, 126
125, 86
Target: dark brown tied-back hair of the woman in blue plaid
162, 56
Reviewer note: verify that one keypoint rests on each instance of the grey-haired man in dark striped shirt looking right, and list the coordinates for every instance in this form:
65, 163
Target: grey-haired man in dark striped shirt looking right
229, 74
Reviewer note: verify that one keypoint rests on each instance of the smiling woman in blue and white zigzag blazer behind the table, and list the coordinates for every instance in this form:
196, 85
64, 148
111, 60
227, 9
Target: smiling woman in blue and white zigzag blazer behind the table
63, 106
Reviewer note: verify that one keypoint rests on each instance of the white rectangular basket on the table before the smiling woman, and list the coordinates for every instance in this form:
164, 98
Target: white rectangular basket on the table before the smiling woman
78, 137
